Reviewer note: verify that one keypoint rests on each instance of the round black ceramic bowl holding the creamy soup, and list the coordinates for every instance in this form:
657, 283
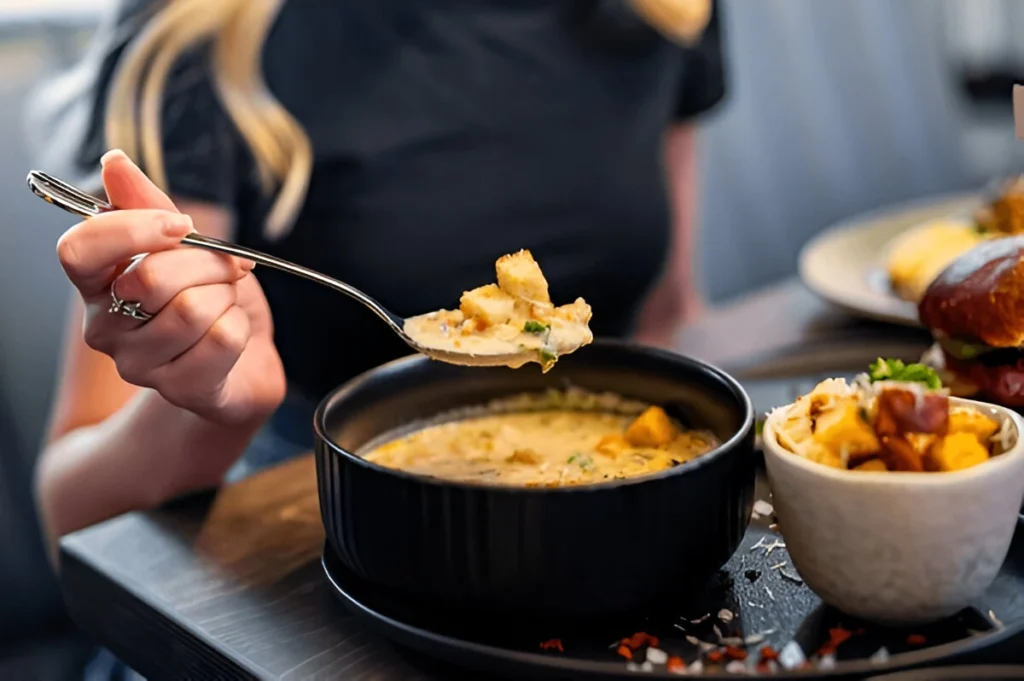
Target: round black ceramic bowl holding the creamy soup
552, 552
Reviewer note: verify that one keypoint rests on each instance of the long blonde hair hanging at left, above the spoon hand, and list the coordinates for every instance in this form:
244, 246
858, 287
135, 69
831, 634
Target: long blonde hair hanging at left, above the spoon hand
237, 31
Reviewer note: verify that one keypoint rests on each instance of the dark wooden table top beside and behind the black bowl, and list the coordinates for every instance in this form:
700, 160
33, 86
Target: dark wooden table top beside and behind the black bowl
230, 586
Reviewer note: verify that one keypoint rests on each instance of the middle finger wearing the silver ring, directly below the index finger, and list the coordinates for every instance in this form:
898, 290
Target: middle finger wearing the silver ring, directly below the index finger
158, 278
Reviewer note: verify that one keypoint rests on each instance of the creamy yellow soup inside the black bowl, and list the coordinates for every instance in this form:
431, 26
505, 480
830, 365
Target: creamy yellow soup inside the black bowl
546, 449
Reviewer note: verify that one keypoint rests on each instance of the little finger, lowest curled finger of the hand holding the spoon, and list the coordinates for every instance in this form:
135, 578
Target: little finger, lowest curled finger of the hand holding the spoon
204, 369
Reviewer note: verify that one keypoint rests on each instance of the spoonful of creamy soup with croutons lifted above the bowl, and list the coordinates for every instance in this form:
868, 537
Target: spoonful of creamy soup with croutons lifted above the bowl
515, 317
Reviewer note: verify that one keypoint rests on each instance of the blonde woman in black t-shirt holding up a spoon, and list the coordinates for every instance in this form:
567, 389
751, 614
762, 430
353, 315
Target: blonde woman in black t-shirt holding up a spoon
406, 147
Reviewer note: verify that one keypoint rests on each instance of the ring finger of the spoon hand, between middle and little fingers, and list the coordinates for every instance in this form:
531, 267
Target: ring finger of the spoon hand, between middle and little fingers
180, 326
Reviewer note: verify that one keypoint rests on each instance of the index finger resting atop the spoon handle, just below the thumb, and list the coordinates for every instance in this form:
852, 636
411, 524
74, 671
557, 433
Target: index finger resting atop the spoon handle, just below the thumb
93, 251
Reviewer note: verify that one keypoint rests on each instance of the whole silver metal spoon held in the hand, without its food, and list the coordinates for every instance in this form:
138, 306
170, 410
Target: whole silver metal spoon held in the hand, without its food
75, 201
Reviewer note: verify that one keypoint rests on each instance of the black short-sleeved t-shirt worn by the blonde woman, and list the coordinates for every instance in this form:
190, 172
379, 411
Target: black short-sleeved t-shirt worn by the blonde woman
447, 134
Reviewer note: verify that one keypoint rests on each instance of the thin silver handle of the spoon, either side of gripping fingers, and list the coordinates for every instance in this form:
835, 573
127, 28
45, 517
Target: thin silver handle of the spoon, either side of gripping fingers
79, 203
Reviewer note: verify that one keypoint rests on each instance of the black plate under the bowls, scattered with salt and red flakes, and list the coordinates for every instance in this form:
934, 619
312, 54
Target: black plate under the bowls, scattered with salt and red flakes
763, 598
